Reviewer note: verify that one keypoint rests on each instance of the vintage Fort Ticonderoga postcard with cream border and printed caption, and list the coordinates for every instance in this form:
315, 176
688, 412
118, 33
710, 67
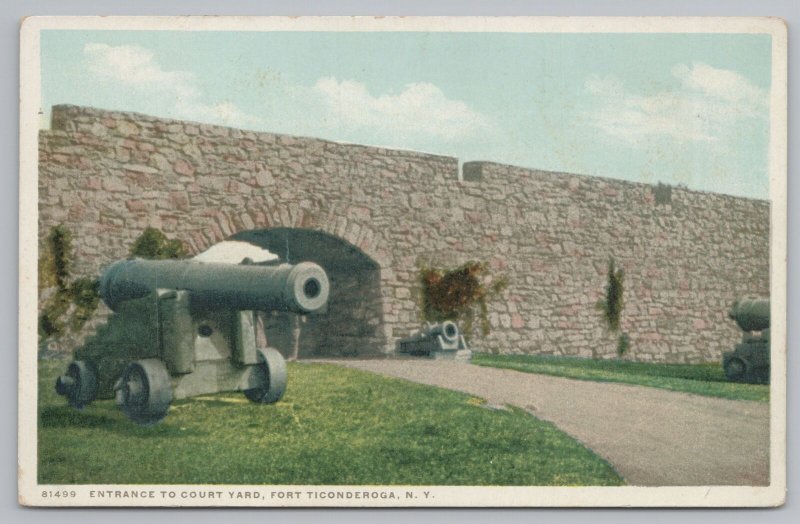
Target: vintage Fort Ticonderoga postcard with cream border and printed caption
402, 262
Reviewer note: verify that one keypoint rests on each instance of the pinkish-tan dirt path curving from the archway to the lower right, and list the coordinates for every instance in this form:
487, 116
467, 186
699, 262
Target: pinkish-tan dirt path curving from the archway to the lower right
652, 437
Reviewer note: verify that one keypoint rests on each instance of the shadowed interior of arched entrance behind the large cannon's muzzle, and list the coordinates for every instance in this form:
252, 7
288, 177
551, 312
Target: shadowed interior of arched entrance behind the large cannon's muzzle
352, 323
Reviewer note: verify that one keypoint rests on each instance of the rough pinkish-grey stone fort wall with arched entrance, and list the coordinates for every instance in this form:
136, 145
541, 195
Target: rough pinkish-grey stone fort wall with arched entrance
687, 255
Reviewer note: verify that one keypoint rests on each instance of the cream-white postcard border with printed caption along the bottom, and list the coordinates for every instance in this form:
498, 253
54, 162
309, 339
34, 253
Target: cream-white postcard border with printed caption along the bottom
31, 493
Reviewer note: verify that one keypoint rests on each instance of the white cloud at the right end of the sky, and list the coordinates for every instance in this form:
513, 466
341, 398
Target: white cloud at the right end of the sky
705, 105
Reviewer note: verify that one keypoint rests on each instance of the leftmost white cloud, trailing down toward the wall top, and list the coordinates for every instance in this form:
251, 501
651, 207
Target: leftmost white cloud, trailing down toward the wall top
136, 67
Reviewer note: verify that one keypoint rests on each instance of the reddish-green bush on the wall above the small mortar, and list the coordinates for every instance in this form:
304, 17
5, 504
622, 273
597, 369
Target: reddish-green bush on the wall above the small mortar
454, 294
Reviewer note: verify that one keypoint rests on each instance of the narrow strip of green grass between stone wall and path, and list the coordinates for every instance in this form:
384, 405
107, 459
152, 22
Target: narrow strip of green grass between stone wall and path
700, 379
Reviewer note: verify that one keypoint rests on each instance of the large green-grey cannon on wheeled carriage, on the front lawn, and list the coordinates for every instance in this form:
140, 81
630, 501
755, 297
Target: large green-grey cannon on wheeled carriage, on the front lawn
182, 328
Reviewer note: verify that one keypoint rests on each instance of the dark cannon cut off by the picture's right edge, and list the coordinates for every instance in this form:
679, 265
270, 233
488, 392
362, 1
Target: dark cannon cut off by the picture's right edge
749, 361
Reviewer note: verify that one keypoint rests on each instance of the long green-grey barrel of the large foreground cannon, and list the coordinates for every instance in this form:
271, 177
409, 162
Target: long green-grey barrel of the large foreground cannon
300, 288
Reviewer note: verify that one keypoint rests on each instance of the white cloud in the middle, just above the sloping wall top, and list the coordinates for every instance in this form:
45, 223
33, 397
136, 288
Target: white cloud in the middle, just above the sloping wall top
420, 110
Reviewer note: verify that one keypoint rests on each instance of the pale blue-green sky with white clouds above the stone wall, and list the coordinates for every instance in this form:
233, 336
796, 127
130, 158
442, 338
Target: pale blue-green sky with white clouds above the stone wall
689, 109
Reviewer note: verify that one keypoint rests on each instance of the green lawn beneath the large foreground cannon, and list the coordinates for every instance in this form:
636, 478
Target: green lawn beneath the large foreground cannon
334, 426
